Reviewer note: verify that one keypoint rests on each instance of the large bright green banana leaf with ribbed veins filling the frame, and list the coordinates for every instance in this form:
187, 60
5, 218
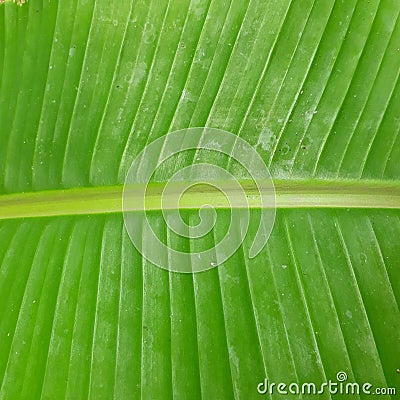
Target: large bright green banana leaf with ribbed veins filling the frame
86, 85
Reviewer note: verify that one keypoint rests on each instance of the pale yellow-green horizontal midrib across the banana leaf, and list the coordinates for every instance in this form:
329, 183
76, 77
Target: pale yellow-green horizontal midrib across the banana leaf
289, 194
